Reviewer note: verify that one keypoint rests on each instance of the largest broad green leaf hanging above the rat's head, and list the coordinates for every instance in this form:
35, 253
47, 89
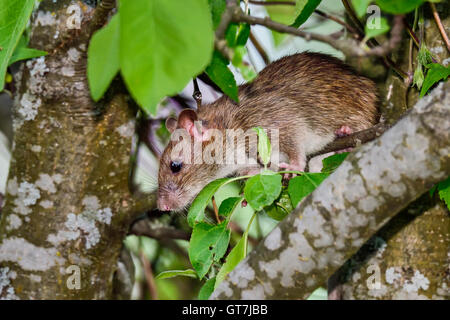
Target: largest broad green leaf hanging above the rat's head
163, 45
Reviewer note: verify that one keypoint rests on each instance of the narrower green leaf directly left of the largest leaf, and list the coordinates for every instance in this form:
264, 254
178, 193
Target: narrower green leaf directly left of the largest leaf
104, 58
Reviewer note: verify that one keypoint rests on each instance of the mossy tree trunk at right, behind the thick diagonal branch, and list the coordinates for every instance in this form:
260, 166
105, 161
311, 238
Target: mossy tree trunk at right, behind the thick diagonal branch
415, 245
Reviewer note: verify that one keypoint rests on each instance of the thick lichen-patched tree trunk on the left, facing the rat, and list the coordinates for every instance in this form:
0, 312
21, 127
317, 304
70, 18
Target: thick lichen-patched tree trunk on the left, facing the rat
68, 206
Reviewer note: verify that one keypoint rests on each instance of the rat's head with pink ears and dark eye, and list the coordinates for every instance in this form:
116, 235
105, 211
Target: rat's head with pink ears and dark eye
182, 173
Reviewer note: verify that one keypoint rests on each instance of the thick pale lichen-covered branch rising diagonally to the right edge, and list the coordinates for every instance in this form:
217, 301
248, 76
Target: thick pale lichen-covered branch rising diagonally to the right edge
331, 224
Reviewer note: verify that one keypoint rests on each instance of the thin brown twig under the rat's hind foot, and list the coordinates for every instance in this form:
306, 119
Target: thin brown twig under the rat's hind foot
354, 139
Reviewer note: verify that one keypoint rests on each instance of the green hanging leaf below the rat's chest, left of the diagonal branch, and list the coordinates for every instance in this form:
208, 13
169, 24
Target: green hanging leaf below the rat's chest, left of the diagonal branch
208, 244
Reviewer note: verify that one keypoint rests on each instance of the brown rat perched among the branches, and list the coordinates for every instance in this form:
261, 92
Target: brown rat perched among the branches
308, 97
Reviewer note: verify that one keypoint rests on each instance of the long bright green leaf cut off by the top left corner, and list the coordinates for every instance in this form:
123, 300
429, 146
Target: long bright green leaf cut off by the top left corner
14, 15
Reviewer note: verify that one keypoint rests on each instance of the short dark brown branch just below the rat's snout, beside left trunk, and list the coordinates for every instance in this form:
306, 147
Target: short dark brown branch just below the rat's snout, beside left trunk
142, 228
